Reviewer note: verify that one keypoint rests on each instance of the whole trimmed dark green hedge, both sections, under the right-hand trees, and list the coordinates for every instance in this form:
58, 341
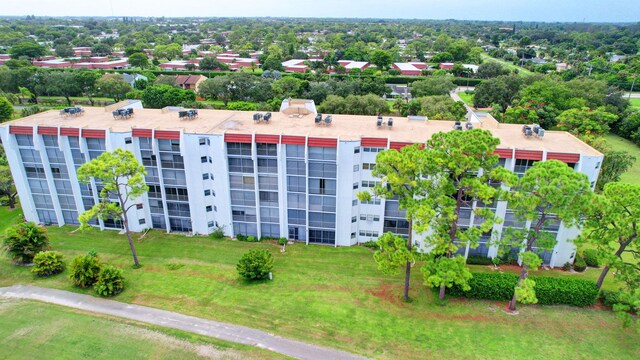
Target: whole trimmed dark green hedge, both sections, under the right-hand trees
549, 290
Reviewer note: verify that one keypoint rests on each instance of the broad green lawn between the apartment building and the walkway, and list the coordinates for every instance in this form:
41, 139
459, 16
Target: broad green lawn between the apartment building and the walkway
334, 297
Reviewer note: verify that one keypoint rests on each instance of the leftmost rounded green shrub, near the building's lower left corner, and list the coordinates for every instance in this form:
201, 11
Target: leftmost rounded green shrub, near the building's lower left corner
23, 241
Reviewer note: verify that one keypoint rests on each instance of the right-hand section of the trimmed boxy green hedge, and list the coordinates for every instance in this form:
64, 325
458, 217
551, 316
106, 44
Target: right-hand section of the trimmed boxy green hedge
569, 291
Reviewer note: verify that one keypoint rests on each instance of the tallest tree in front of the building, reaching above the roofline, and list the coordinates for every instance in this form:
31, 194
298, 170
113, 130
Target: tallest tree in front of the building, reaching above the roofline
463, 168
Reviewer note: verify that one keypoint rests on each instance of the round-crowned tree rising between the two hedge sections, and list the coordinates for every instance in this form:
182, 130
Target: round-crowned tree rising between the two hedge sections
549, 191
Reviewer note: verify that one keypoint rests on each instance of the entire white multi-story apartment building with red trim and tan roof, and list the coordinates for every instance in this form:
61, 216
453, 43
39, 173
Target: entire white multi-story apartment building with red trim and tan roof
291, 176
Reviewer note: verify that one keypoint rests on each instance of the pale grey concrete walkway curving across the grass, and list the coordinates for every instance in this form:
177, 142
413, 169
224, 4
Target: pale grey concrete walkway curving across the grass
219, 330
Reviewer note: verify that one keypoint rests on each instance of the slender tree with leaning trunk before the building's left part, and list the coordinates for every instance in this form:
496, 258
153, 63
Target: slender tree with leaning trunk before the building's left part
122, 176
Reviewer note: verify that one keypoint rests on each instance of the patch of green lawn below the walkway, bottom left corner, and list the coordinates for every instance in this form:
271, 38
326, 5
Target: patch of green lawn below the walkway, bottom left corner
64, 333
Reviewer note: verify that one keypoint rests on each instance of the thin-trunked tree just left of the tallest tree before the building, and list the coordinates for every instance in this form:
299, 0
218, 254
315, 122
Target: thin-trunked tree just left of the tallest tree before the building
401, 176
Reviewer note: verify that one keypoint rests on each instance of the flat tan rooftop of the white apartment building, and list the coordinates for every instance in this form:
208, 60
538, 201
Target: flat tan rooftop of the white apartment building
343, 127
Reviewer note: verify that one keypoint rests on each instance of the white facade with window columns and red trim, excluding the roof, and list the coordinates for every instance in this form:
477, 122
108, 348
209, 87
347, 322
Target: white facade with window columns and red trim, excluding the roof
303, 188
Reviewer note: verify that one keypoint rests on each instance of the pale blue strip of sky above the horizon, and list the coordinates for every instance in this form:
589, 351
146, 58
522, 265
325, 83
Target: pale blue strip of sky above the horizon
508, 10
